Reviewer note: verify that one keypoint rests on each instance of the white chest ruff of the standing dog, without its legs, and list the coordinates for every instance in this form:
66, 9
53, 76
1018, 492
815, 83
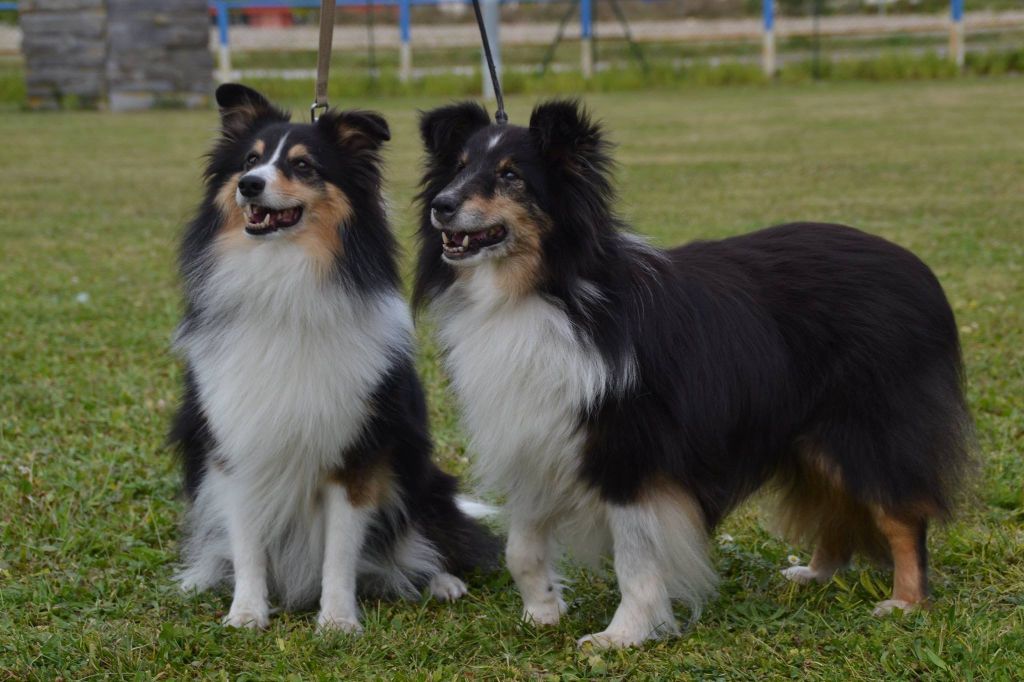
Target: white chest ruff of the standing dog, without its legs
524, 377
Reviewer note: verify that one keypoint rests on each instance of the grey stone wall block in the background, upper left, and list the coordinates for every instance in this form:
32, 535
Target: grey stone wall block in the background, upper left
122, 55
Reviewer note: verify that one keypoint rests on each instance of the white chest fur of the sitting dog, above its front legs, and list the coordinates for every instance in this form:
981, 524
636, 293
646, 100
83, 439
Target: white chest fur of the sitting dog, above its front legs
286, 362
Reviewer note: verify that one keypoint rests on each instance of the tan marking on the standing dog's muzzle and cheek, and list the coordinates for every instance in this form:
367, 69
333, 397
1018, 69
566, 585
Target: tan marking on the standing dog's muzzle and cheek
520, 271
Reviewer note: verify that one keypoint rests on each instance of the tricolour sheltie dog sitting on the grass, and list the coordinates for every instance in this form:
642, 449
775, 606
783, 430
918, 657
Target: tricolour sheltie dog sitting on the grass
304, 429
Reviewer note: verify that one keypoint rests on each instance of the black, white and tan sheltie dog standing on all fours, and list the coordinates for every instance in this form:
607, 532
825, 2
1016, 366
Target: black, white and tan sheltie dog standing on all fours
626, 398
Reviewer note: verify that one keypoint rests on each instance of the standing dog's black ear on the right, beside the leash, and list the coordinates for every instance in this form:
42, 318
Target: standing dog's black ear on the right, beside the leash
567, 136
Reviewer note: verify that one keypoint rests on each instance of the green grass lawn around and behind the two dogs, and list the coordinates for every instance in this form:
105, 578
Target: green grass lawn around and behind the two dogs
90, 499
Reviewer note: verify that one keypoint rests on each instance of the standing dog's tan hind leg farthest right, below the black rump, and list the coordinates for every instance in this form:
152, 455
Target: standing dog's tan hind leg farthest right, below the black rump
910, 552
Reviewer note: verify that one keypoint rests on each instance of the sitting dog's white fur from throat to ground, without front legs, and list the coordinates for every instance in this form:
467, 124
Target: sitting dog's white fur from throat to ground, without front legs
286, 364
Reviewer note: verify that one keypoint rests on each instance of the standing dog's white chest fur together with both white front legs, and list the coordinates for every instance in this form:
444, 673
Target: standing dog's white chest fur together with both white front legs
525, 378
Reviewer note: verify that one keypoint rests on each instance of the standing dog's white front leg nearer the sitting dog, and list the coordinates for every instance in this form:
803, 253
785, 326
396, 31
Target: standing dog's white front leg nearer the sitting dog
529, 555
